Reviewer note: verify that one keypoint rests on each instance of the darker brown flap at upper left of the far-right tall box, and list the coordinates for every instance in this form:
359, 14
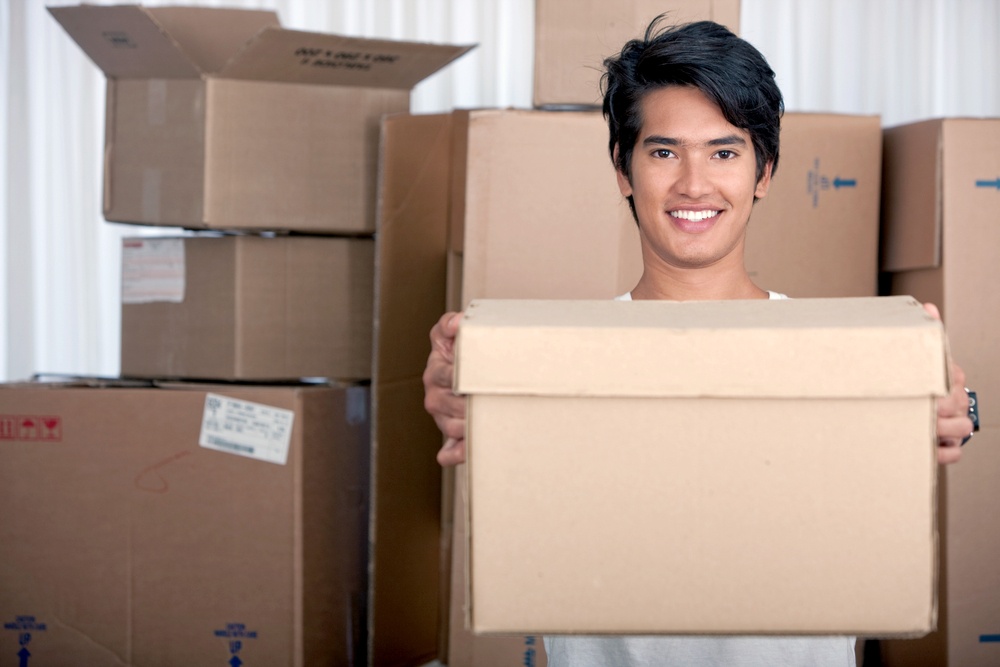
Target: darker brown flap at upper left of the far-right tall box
911, 197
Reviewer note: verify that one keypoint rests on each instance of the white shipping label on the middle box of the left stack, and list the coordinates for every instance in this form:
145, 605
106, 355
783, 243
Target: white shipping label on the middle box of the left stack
153, 270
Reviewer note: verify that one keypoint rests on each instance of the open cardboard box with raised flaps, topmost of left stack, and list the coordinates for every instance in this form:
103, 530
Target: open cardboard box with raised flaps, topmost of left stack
219, 118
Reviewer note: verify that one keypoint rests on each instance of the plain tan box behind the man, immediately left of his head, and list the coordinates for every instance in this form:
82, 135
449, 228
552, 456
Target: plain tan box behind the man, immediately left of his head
559, 229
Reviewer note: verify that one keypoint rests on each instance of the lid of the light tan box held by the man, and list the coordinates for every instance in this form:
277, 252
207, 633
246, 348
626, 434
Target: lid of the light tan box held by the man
795, 348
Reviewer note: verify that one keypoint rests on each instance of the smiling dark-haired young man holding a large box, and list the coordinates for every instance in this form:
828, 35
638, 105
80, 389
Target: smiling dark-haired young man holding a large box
694, 118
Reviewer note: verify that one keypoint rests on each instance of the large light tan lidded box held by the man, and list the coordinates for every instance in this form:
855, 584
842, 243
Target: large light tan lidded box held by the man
702, 467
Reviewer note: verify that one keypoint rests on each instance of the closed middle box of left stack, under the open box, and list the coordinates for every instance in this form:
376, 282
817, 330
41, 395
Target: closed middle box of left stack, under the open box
247, 307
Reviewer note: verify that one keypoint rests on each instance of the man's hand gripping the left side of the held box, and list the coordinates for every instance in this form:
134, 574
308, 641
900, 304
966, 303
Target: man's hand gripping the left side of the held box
440, 401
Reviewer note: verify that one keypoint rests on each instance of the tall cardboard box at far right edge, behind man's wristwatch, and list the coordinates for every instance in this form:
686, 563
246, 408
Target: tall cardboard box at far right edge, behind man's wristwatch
941, 191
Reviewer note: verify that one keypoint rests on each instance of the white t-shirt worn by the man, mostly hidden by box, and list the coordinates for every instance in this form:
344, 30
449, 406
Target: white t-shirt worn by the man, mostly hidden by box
699, 651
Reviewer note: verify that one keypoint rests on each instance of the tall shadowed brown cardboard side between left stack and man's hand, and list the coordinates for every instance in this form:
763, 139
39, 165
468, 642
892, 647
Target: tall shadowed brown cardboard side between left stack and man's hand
401, 373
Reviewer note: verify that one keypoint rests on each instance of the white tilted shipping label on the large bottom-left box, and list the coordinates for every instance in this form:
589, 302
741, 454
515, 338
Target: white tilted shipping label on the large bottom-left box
249, 429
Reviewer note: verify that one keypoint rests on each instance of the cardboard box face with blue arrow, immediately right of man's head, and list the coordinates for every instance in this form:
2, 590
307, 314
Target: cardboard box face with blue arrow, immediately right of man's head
816, 234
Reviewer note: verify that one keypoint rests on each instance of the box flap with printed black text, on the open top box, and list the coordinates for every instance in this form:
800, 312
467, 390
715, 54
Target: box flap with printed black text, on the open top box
307, 57
